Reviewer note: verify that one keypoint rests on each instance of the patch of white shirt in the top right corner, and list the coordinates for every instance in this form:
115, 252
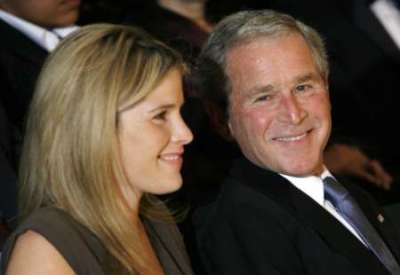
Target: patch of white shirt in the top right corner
389, 16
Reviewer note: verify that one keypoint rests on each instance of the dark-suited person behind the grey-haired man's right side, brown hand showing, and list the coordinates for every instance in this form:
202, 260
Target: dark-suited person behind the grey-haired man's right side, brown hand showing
364, 52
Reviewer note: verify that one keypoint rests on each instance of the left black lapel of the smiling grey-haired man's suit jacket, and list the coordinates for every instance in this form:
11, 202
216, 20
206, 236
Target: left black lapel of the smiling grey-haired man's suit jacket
309, 213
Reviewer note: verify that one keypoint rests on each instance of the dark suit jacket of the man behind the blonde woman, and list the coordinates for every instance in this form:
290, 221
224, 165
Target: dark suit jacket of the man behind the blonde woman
20, 63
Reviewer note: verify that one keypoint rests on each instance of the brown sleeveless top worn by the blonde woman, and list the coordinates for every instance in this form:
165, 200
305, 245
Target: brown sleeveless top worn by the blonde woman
86, 254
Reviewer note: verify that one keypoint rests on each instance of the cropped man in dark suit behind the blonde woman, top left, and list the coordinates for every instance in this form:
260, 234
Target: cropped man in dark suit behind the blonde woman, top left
30, 29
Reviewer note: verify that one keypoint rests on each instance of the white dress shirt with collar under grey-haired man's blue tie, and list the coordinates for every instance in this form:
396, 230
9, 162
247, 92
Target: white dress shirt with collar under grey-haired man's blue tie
313, 187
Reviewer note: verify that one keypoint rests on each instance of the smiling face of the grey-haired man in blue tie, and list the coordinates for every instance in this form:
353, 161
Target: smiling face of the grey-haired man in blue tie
279, 105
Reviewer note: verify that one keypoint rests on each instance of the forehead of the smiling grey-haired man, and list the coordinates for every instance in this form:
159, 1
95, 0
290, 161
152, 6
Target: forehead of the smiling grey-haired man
248, 62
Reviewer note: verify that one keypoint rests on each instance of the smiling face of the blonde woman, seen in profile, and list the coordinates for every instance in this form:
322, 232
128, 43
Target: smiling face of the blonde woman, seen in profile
152, 136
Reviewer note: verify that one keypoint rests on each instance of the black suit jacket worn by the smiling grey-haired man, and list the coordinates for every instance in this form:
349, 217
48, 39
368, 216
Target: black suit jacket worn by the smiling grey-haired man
262, 224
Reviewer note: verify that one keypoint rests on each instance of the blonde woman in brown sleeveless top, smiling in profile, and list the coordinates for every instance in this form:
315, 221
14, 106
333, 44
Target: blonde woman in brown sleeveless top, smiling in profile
104, 133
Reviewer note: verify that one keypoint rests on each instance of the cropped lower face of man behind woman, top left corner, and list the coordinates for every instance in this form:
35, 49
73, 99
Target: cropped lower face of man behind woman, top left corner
45, 13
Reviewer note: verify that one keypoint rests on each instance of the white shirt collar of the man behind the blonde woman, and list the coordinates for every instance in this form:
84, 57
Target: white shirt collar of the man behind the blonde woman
47, 39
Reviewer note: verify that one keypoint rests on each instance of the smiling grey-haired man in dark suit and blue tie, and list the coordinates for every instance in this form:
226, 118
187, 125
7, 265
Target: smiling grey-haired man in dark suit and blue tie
279, 211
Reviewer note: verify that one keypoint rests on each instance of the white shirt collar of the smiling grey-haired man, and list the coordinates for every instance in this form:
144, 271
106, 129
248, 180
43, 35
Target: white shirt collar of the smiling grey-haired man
311, 185
